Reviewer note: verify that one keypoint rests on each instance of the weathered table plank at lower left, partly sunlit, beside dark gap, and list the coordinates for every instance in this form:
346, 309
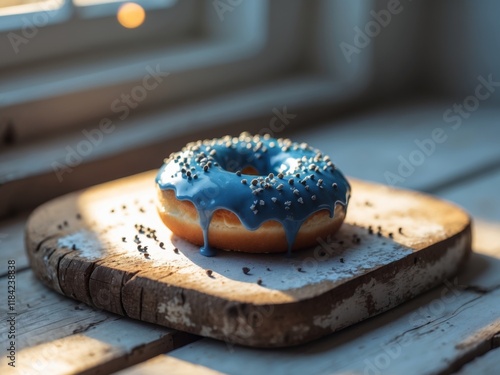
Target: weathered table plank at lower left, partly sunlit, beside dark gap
57, 335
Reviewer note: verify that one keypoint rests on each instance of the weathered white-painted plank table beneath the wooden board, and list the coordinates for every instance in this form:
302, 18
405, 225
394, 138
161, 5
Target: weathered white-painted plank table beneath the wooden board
454, 328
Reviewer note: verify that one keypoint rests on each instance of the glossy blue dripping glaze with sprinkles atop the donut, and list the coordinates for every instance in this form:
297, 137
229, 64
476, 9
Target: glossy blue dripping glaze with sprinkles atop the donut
204, 173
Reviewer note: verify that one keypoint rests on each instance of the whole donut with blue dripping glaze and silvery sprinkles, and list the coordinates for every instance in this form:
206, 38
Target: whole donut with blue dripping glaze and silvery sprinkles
251, 193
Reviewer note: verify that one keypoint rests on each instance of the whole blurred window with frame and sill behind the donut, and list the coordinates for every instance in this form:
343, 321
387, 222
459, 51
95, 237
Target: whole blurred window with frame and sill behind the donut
224, 62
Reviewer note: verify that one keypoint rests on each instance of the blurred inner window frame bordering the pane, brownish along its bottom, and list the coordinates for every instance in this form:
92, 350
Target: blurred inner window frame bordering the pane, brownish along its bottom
51, 84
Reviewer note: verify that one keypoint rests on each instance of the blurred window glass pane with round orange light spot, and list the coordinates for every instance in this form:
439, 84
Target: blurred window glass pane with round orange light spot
45, 29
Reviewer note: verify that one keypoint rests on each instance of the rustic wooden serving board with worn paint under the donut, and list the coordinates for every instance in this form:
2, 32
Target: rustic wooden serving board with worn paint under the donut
84, 245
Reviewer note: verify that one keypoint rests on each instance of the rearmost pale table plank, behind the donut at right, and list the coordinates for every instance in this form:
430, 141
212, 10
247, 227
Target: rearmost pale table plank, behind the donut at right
371, 144
